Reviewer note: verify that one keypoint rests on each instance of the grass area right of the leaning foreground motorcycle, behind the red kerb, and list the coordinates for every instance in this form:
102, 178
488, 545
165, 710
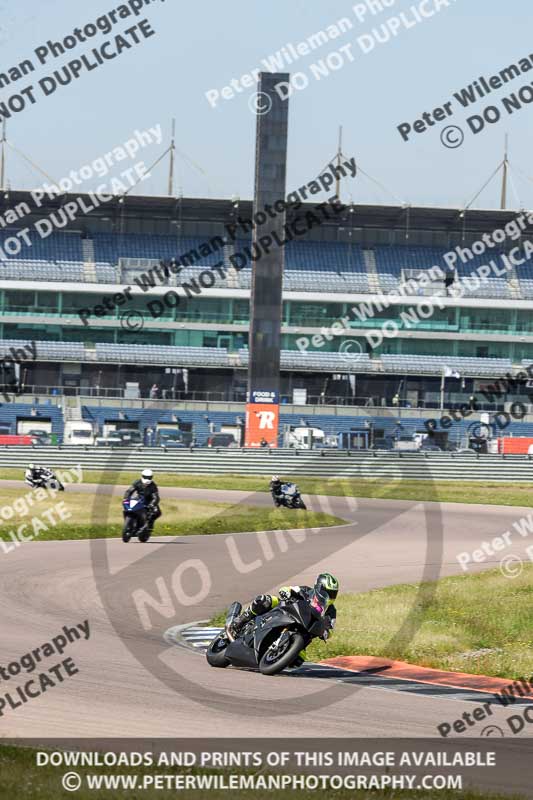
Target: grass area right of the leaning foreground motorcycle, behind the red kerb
452, 617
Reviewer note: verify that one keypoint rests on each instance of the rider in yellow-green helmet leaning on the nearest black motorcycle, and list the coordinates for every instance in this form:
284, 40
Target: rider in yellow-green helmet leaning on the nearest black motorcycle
321, 596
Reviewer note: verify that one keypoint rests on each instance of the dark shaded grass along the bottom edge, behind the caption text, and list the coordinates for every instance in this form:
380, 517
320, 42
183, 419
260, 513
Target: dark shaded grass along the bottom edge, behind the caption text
20, 778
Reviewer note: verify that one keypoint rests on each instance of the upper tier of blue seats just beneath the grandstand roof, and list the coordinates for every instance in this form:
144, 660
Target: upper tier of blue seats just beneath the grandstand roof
311, 266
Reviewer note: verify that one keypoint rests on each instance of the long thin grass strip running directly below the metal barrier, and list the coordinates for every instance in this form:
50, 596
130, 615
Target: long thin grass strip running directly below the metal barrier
387, 487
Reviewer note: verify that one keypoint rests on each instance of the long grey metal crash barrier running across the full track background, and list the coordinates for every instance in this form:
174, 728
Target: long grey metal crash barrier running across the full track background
320, 463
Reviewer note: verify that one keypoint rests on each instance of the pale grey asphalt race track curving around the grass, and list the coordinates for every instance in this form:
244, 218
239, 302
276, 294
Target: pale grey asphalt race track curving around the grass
130, 682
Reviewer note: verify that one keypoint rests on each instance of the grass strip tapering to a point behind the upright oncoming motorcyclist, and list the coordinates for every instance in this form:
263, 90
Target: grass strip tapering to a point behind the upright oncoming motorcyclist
100, 517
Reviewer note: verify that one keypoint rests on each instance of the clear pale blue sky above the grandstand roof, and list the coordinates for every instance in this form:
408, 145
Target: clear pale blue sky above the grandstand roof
204, 45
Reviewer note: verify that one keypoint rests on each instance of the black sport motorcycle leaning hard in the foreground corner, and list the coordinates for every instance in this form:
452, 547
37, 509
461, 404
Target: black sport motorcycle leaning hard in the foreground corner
270, 642
